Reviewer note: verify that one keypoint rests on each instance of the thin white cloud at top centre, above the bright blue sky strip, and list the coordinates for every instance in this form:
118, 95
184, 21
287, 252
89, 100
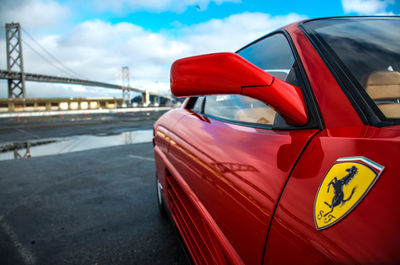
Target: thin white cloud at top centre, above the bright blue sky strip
158, 5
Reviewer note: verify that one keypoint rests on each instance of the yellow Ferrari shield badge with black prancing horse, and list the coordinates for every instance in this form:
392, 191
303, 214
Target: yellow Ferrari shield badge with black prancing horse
343, 187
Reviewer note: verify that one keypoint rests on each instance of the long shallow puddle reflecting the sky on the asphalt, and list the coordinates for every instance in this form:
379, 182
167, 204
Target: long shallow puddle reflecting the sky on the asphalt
56, 146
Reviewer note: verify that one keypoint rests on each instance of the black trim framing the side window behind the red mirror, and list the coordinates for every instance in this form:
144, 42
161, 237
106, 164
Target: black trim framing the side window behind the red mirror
313, 112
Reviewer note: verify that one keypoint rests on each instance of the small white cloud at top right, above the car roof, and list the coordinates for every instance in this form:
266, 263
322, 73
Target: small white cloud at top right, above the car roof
366, 7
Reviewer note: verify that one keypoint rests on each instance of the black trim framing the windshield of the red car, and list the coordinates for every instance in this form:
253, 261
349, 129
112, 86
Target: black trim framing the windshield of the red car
367, 110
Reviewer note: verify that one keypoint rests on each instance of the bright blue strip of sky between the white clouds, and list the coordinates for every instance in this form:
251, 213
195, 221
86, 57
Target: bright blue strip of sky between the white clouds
157, 20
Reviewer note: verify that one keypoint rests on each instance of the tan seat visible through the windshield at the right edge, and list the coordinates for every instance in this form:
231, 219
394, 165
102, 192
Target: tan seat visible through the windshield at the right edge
385, 85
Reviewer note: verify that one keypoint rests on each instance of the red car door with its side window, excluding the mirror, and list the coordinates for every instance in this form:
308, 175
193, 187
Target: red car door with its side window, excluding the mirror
233, 155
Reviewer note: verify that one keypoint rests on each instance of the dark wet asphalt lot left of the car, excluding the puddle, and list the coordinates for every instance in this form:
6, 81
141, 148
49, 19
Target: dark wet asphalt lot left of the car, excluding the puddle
90, 207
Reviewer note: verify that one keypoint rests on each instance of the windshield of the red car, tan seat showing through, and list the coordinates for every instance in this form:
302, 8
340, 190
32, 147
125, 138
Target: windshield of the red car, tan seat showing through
369, 49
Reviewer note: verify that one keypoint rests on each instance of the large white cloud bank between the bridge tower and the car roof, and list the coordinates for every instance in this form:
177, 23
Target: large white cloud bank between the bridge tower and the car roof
97, 50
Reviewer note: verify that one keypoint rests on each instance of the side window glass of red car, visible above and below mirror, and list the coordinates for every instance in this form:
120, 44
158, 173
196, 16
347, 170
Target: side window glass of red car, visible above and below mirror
273, 55
